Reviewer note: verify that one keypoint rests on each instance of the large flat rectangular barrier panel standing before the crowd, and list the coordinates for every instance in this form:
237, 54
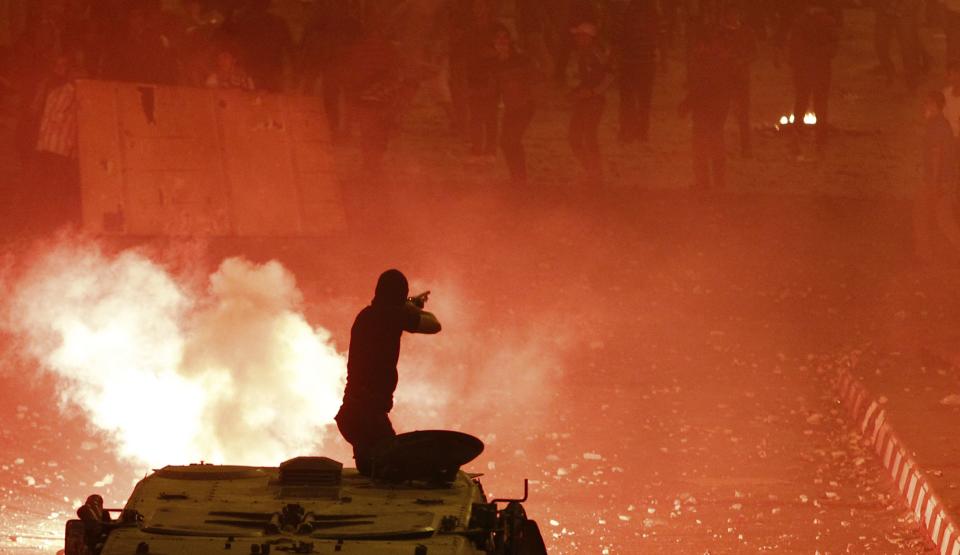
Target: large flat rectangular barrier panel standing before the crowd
157, 160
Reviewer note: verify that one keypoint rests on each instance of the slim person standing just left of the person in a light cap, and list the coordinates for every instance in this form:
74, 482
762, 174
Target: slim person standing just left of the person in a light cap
515, 76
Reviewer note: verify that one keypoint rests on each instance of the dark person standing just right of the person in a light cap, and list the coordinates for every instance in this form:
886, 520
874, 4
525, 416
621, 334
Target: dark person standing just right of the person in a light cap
637, 42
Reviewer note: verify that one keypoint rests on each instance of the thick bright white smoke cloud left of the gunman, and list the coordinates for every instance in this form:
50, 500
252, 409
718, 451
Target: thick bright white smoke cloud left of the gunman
233, 374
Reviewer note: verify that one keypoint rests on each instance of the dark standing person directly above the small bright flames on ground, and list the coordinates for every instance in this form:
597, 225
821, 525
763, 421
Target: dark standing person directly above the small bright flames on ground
812, 44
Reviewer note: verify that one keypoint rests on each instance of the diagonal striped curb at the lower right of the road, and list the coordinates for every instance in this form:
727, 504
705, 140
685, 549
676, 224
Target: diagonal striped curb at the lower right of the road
871, 420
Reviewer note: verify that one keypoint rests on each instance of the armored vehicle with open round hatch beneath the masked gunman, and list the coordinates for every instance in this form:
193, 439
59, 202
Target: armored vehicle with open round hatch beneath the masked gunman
417, 501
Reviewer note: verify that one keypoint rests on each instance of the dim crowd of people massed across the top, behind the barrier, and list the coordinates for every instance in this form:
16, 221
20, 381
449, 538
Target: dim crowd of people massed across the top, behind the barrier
486, 62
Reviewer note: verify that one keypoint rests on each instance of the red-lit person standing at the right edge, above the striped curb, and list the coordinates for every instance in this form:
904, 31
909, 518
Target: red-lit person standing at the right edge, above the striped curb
933, 212
